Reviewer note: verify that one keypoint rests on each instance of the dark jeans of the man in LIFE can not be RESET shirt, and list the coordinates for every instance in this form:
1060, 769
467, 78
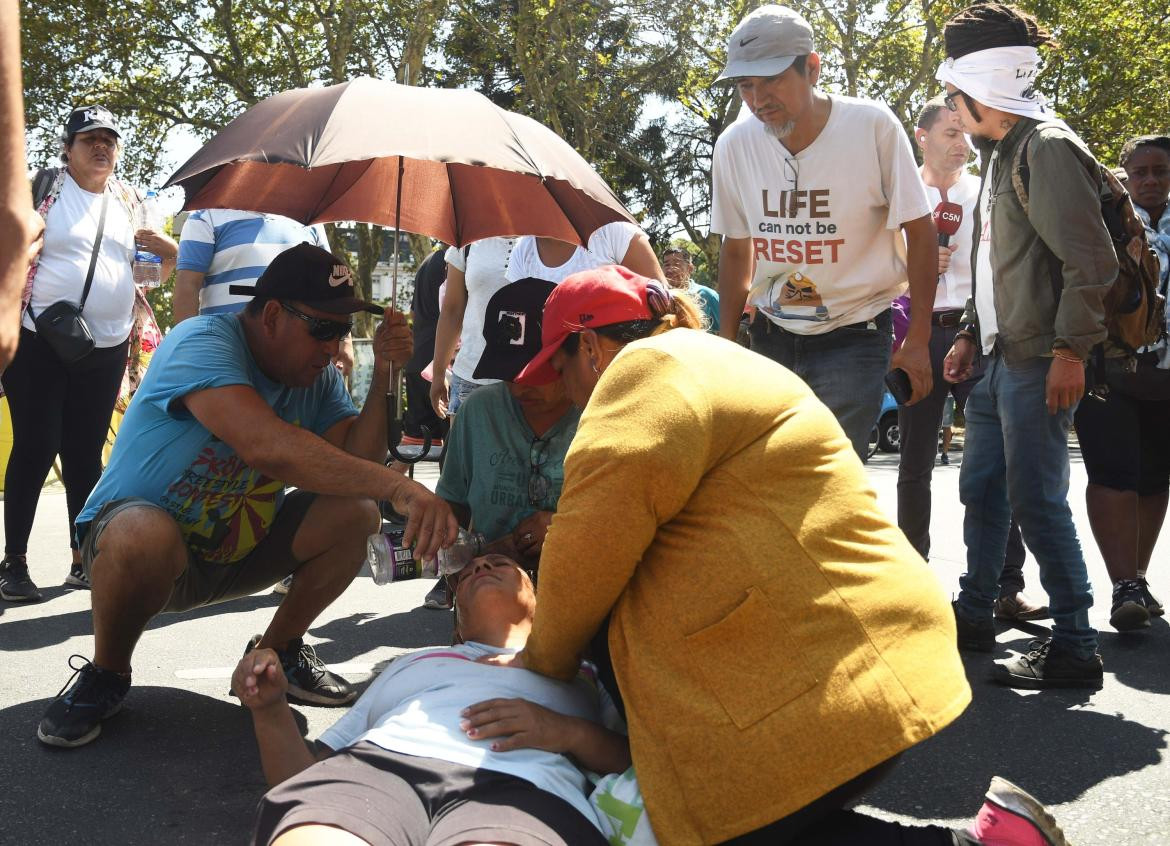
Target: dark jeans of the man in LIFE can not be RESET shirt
844, 368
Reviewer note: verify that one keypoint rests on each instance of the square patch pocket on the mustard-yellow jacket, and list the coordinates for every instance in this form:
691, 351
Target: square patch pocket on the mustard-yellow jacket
749, 663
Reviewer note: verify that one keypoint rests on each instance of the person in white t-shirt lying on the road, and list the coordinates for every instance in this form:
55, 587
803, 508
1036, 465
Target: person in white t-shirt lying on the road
443, 748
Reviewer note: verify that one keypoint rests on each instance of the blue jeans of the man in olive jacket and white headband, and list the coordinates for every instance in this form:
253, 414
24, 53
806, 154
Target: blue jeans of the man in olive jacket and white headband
1016, 463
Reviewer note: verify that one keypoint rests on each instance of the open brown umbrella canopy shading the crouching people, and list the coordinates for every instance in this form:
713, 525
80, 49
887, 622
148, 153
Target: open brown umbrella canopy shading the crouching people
445, 163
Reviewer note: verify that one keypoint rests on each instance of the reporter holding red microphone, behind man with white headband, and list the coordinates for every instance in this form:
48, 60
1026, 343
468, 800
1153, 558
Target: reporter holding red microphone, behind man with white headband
953, 195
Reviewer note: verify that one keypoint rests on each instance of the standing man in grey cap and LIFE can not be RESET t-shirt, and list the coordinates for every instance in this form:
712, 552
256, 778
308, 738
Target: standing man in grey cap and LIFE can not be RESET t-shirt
809, 192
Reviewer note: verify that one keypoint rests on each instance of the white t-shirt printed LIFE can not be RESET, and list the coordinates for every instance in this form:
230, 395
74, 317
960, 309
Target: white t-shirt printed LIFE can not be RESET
824, 224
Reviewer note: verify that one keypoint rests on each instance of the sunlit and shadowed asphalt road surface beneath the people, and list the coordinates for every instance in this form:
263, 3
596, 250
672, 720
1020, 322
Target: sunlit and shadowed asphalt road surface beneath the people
180, 766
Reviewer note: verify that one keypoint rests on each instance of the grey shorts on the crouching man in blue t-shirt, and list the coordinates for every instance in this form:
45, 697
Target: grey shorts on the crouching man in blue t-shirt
207, 583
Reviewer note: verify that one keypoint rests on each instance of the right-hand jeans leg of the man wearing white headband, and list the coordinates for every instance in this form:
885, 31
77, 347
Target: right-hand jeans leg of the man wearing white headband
1037, 459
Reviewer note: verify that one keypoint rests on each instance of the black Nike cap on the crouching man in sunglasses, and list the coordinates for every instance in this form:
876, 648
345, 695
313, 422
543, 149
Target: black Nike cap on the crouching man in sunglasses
311, 276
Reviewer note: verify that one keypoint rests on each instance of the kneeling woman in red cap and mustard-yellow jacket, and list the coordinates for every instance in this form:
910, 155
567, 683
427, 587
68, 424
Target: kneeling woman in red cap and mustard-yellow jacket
776, 639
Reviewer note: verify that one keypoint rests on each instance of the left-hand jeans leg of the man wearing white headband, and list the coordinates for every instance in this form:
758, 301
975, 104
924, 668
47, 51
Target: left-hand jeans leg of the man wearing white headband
983, 492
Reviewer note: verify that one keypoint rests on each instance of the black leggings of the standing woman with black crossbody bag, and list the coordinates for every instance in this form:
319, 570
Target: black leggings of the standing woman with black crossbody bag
57, 410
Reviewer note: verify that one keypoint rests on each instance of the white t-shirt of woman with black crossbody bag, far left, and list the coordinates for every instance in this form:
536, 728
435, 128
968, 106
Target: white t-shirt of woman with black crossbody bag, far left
70, 235
